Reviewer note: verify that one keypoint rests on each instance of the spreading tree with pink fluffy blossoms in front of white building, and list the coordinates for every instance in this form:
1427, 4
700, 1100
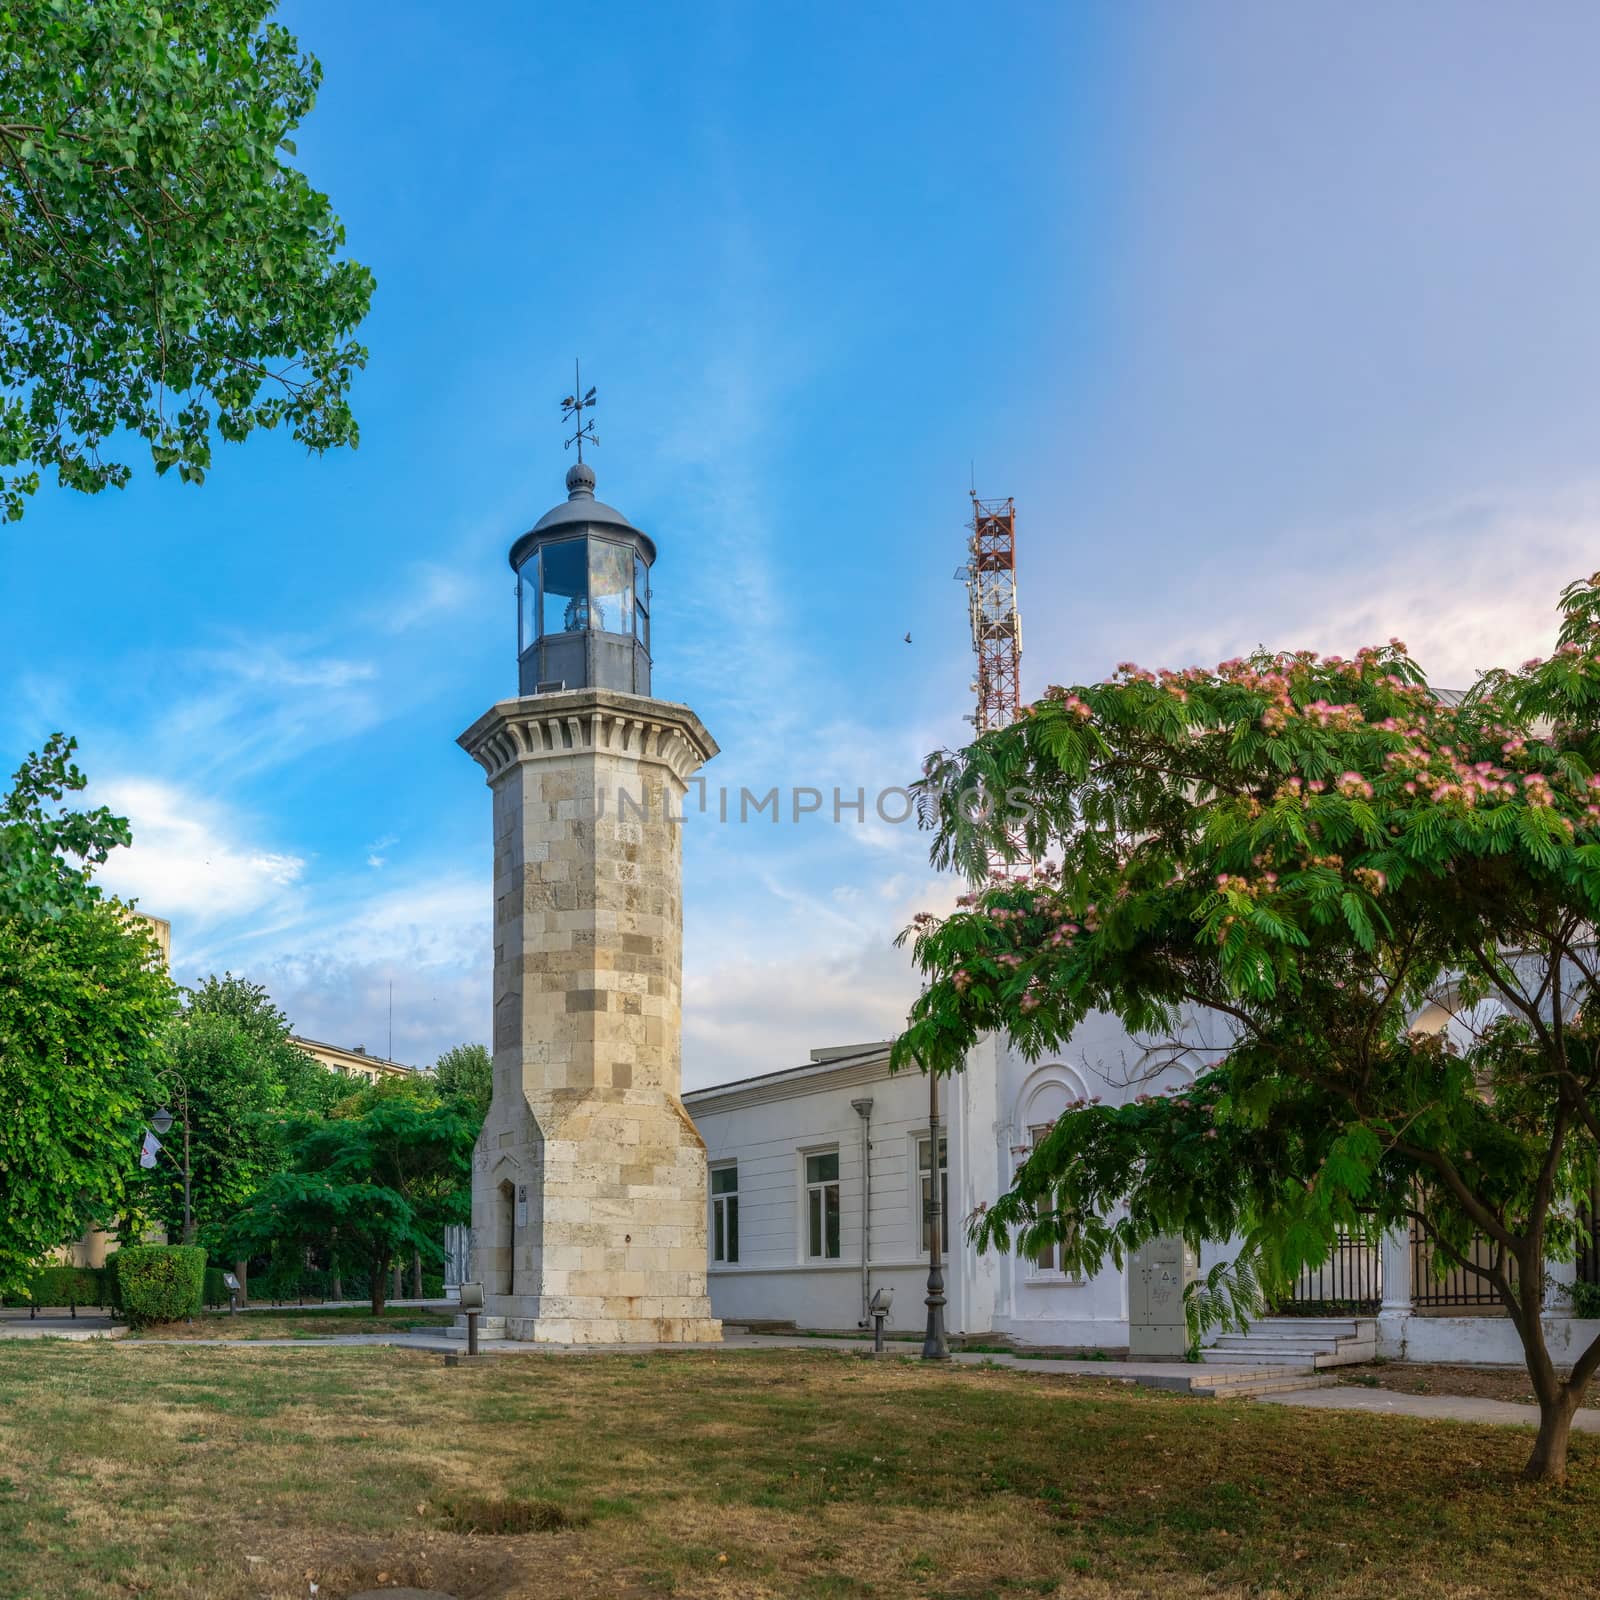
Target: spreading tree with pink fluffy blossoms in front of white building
1319, 862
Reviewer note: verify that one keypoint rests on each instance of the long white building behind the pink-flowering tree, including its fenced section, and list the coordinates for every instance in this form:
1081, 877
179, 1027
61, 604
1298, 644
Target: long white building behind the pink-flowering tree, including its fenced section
820, 1177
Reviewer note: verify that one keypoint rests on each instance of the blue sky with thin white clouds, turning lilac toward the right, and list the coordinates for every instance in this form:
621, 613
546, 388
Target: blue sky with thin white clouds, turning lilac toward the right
1278, 321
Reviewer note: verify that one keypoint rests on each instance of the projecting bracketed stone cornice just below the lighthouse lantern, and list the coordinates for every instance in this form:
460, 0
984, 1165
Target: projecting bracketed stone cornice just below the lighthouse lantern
606, 722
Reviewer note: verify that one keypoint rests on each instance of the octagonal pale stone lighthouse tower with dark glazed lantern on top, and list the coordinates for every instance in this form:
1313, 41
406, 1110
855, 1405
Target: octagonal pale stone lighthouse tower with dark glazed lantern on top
590, 1180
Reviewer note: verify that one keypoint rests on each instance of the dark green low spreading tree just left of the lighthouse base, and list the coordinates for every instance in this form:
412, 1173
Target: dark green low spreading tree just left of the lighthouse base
374, 1190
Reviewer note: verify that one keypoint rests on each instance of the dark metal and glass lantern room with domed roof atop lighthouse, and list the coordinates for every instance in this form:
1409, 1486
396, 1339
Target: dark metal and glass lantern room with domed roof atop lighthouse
583, 598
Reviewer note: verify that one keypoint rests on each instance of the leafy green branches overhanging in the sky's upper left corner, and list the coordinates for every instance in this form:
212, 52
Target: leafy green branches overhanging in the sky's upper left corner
164, 271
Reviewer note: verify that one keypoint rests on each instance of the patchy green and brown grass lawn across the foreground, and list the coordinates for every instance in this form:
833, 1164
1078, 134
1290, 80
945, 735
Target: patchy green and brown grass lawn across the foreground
242, 1473
